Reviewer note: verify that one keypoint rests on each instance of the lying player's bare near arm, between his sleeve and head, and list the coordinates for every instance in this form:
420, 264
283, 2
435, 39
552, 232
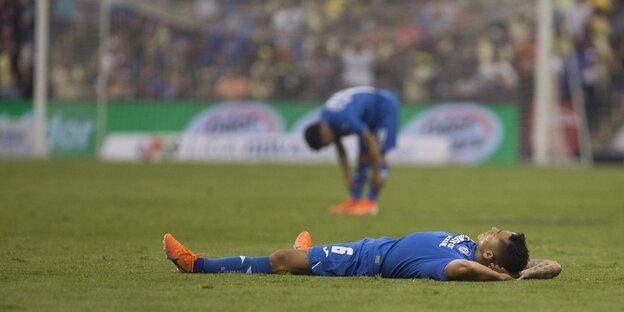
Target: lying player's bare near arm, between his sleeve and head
466, 270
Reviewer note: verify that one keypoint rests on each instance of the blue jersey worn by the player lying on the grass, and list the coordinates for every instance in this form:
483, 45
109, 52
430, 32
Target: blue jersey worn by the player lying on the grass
425, 255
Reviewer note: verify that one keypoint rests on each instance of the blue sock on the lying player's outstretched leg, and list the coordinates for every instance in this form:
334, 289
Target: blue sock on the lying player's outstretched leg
239, 264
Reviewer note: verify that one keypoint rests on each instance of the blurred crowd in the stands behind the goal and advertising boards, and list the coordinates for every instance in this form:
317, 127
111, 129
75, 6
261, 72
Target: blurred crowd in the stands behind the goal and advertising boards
428, 50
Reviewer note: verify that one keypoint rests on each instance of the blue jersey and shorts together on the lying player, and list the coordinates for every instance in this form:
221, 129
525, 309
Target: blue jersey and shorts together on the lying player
418, 255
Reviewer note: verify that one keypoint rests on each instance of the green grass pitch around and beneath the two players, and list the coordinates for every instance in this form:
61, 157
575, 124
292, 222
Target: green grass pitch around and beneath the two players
85, 235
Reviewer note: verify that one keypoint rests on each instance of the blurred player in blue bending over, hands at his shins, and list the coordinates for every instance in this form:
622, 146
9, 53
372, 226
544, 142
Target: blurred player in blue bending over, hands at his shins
371, 114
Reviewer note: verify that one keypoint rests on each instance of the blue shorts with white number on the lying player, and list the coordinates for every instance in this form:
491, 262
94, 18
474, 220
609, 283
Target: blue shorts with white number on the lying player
348, 259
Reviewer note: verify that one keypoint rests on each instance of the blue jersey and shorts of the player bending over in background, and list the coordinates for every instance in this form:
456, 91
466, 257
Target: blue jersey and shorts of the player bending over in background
355, 110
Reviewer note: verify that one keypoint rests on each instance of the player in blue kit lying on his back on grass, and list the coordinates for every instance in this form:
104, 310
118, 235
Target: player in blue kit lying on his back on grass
497, 256
